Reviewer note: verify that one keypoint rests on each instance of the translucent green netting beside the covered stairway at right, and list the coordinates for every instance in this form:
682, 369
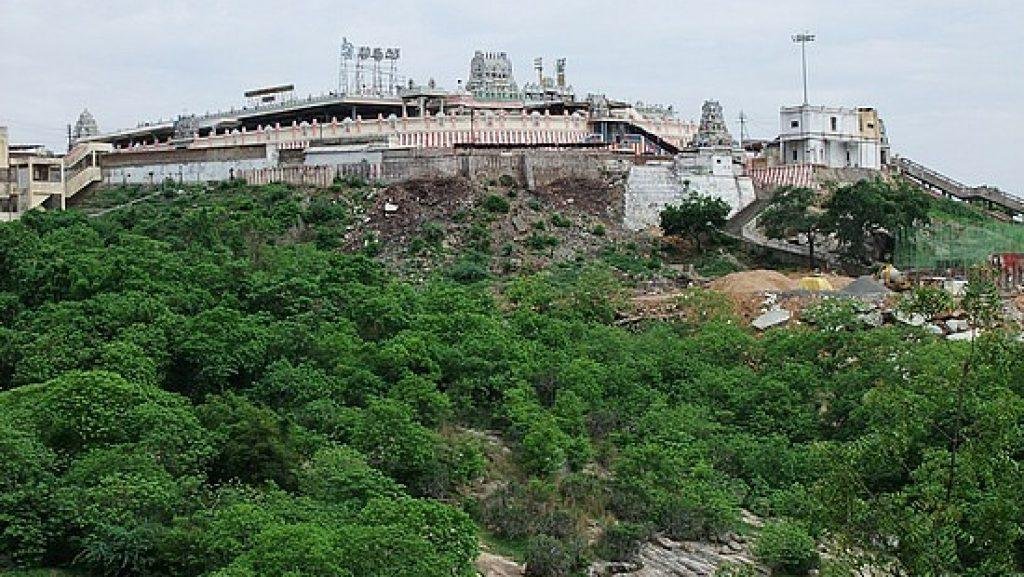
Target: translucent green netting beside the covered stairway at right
956, 245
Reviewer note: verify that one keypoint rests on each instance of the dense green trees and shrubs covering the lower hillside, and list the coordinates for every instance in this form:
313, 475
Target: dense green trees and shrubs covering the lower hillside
200, 386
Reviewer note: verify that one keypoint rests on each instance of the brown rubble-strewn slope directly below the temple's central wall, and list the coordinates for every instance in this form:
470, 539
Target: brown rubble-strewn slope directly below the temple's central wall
425, 224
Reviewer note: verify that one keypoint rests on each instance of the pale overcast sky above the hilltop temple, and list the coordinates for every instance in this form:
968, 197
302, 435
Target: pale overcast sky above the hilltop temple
947, 75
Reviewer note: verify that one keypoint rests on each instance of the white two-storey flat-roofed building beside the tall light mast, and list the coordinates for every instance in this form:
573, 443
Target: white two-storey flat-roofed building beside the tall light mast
836, 138
